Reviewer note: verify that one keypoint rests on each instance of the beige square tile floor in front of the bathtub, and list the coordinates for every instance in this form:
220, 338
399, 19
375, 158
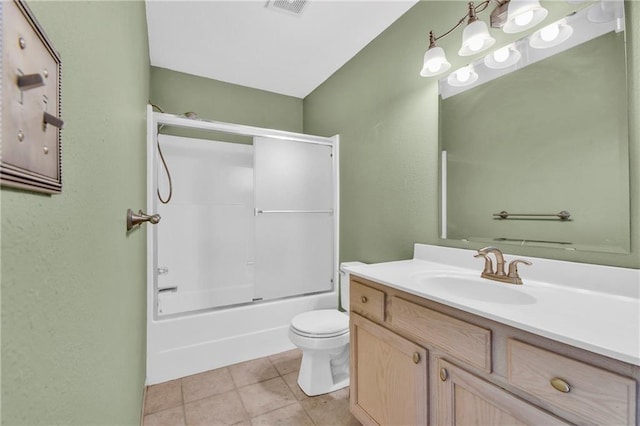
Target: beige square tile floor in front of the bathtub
259, 392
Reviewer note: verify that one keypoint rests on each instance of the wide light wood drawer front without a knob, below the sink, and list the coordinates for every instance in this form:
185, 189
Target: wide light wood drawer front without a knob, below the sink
460, 339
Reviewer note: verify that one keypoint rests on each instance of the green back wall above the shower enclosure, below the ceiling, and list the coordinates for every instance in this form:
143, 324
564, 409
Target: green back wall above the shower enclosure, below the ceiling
176, 93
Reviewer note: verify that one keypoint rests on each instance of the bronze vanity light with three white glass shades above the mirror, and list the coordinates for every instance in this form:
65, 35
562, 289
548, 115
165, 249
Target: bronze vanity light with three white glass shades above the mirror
510, 15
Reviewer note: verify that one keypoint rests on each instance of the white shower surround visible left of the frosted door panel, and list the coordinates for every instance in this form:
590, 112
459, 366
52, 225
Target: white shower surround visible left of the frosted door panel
206, 236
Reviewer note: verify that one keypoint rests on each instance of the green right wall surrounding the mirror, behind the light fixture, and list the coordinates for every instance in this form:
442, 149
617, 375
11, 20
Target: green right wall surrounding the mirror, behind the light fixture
387, 118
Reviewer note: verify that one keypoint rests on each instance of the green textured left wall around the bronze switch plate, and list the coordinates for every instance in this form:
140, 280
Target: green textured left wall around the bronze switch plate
73, 281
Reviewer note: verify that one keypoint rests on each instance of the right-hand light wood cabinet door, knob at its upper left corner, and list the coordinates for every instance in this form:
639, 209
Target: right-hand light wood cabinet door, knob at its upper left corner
464, 399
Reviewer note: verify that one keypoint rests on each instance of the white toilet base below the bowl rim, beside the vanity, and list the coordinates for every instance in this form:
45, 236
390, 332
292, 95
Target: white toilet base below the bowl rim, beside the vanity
323, 372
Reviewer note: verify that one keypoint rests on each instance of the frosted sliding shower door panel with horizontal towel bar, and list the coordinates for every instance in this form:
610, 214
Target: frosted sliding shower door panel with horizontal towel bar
294, 208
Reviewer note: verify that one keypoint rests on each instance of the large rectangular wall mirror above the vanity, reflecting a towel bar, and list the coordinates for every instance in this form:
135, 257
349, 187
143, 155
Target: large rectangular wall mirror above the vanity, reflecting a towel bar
538, 156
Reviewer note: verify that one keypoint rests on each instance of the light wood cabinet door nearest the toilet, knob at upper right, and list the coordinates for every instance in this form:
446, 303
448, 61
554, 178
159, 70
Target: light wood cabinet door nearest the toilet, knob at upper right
388, 376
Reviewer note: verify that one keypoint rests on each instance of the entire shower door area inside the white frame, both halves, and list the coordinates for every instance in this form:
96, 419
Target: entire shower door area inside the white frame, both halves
244, 224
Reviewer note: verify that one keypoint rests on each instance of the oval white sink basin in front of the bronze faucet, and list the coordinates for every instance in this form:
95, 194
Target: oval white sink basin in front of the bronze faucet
476, 288
